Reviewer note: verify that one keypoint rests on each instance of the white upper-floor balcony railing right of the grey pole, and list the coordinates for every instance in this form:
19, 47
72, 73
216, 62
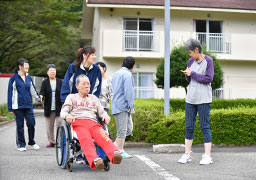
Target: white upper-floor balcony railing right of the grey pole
216, 42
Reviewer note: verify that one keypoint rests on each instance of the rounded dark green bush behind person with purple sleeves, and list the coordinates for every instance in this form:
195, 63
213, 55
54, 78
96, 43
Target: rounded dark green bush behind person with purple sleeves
178, 61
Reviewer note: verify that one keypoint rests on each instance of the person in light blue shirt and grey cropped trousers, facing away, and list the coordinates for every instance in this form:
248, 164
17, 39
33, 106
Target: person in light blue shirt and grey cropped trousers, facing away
123, 102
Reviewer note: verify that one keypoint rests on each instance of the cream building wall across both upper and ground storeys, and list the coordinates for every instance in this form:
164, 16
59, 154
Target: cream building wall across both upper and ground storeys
238, 70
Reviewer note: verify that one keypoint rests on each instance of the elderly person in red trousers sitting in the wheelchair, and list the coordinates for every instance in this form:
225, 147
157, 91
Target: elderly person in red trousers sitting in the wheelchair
80, 110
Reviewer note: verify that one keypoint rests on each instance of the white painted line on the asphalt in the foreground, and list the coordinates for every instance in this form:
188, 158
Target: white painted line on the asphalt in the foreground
157, 168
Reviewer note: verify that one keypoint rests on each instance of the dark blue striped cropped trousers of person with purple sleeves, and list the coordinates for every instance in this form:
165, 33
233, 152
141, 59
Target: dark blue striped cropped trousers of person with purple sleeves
204, 118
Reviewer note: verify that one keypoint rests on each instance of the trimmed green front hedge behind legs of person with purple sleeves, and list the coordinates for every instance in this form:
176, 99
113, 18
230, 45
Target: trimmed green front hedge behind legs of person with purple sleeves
228, 126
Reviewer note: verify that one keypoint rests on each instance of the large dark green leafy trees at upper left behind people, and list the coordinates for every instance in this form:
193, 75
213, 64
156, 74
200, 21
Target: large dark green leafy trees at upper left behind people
42, 31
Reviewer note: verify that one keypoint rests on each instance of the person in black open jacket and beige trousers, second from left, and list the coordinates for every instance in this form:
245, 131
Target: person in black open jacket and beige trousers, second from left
50, 93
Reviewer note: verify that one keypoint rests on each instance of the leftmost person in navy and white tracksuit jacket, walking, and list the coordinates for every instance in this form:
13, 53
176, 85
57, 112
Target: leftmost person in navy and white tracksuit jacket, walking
20, 91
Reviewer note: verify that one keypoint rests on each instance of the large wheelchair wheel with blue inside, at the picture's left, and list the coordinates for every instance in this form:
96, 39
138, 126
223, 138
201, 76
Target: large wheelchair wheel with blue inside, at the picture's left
62, 146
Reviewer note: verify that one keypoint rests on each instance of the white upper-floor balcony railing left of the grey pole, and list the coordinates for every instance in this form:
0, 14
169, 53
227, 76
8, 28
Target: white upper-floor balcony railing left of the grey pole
141, 40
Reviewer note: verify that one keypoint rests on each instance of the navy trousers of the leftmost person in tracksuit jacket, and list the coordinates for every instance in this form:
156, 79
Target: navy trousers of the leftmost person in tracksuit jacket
28, 114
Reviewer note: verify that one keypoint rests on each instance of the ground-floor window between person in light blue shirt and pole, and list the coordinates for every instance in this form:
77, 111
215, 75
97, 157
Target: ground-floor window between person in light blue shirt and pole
144, 87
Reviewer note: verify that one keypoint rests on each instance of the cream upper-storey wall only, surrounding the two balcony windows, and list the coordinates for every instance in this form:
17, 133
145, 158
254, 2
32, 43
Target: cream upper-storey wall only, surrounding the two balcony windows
242, 27
